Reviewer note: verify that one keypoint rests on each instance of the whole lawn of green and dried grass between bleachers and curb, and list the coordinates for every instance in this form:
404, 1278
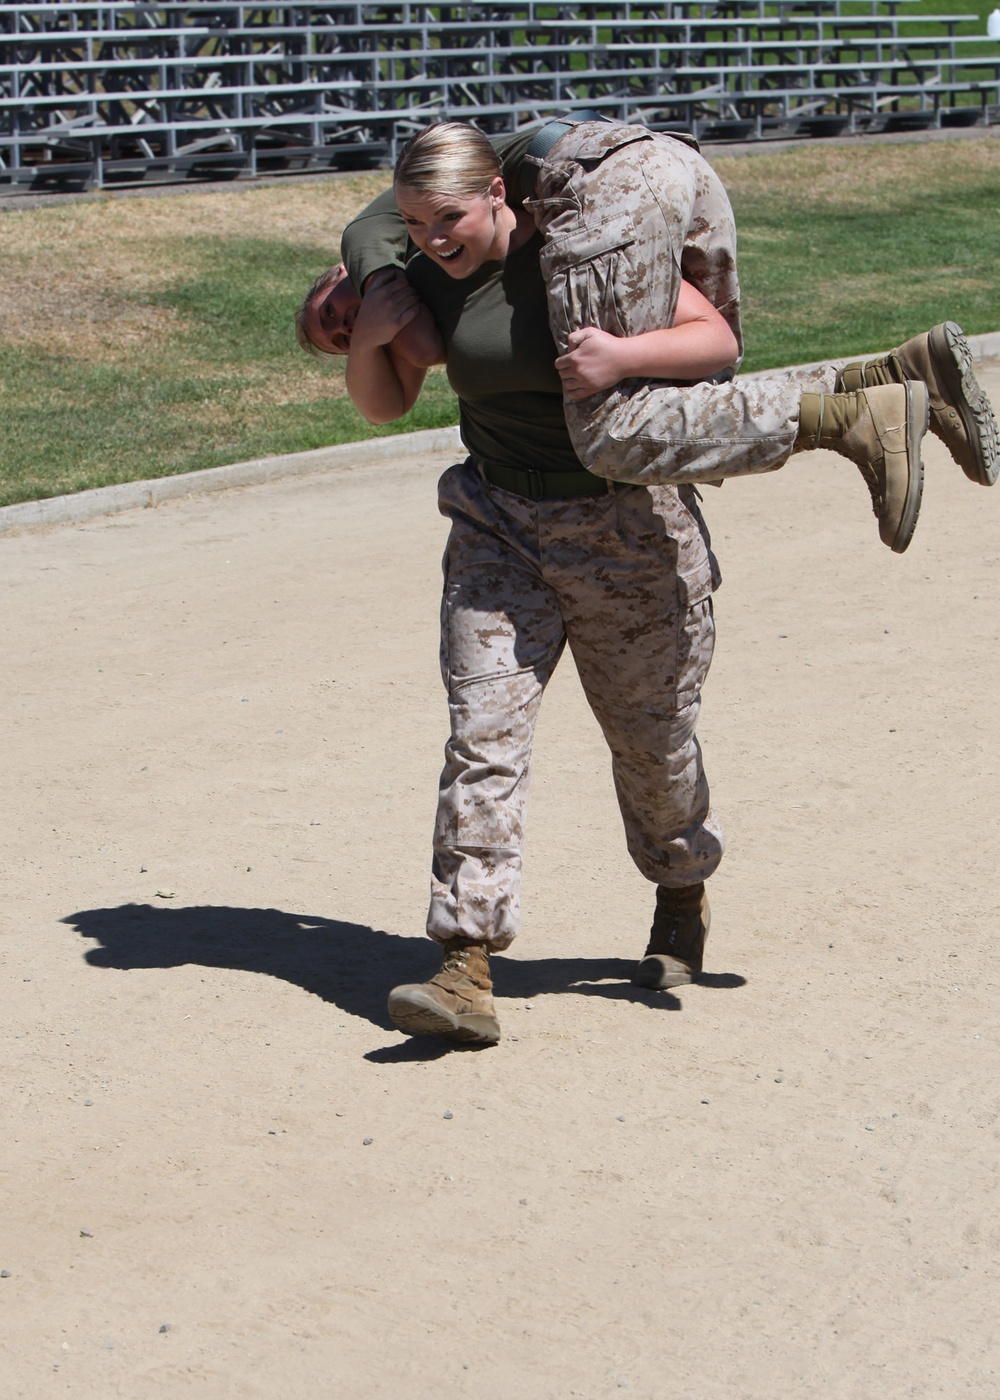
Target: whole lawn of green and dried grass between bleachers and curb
844, 250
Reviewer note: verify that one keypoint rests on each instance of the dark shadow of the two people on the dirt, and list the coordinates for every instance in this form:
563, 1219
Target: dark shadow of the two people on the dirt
348, 965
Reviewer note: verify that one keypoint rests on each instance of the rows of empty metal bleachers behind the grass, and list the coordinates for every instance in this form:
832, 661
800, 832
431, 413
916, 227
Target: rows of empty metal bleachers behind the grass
100, 94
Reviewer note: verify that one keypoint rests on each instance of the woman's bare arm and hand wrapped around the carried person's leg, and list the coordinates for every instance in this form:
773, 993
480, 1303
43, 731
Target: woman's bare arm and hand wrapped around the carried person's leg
697, 346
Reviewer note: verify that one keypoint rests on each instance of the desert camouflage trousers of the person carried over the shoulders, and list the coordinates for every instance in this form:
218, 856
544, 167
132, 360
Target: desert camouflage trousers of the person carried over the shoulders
627, 213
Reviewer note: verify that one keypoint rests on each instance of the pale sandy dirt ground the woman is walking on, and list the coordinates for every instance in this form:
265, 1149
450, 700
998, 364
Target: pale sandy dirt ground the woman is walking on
226, 1175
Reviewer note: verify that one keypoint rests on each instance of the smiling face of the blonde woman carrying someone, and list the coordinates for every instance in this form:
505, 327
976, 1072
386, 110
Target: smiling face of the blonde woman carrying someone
460, 234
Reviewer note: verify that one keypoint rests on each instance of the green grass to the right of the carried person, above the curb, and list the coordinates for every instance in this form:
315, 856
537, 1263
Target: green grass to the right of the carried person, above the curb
826, 281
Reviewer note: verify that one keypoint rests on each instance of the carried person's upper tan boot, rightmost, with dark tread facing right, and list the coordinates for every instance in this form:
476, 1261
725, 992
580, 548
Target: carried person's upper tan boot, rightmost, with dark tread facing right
960, 412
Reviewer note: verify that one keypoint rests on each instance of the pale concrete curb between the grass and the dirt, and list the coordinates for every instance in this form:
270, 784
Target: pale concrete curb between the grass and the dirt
130, 496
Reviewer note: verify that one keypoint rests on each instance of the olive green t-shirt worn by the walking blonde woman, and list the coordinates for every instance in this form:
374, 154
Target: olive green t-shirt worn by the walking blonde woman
501, 359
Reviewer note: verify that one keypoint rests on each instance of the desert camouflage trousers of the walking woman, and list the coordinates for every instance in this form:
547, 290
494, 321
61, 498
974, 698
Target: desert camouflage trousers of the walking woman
625, 579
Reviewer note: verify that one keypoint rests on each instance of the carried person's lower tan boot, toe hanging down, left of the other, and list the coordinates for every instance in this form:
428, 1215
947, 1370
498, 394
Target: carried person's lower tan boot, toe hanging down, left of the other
880, 432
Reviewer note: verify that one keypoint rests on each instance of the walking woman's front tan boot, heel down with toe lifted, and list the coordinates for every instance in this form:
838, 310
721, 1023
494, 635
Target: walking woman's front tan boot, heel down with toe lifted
456, 1003
